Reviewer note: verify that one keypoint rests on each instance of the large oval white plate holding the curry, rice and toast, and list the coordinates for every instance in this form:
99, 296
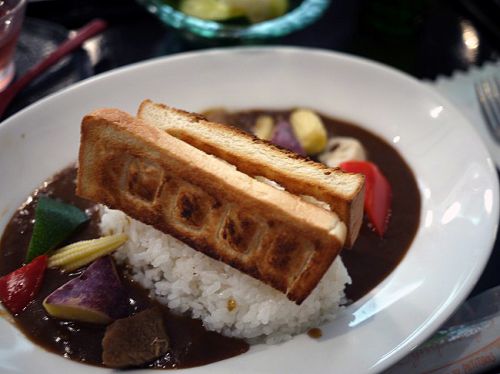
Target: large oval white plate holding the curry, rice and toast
456, 177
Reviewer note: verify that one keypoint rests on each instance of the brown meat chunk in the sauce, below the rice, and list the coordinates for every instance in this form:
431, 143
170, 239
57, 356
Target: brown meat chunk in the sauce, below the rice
135, 340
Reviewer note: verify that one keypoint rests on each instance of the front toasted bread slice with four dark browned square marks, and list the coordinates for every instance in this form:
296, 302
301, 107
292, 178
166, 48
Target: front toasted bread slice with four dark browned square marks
165, 182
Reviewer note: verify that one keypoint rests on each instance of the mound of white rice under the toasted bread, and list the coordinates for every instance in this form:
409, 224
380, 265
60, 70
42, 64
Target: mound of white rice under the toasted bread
188, 281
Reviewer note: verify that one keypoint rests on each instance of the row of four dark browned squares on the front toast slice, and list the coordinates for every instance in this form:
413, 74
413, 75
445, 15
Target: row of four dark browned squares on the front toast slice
192, 210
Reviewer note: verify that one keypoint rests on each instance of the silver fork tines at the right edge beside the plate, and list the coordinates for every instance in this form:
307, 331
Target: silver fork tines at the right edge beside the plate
488, 93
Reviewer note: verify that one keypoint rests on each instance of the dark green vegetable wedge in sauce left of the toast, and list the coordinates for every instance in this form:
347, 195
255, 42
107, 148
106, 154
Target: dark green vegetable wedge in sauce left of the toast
54, 222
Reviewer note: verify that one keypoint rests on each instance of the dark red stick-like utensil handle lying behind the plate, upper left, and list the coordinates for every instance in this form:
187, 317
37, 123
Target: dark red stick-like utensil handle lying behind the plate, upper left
86, 32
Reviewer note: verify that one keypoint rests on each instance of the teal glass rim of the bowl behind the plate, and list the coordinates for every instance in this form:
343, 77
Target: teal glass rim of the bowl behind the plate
305, 13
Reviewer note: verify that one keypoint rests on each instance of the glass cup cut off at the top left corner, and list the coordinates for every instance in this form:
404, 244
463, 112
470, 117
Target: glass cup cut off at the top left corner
11, 20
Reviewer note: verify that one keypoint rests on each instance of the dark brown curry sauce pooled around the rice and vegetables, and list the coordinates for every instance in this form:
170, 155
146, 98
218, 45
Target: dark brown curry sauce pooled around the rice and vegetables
368, 262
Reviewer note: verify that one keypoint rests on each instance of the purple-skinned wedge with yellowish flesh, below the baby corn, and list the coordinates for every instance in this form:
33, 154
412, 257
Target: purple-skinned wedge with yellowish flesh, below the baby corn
96, 296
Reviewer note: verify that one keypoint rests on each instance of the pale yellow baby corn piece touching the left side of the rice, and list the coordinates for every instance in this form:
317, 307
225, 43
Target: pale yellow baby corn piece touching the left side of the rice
76, 255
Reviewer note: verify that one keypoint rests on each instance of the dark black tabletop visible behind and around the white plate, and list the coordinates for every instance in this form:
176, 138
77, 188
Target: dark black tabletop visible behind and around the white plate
432, 41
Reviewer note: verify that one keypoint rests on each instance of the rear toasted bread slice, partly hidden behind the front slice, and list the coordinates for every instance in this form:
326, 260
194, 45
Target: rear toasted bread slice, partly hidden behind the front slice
343, 192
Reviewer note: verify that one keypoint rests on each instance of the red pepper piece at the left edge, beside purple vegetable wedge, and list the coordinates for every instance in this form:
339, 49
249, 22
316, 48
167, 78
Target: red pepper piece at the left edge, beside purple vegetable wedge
18, 288
